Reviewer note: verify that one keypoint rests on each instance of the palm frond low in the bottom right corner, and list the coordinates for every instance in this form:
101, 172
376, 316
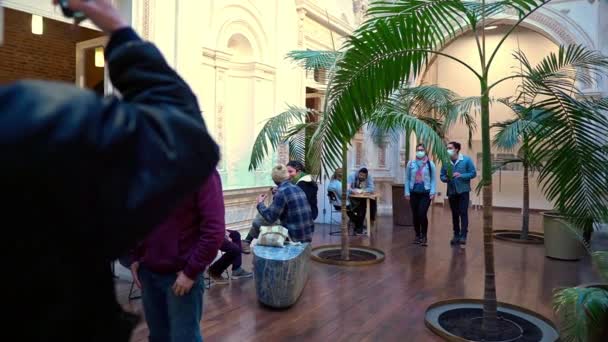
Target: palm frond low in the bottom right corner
582, 311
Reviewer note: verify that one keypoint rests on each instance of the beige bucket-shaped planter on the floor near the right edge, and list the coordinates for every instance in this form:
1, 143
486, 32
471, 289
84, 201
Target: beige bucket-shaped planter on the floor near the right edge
560, 241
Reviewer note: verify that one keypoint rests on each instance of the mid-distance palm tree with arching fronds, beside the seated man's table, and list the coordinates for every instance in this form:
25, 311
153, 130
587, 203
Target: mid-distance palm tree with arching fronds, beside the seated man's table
407, 109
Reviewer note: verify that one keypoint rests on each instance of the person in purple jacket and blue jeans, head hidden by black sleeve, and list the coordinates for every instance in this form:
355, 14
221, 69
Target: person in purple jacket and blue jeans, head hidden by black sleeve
168, 264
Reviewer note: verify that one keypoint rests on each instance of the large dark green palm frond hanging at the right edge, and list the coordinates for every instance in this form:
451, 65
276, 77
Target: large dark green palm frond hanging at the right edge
574, 172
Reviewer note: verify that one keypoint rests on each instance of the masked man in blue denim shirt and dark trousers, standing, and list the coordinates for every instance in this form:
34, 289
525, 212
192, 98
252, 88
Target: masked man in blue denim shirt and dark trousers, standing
459, 187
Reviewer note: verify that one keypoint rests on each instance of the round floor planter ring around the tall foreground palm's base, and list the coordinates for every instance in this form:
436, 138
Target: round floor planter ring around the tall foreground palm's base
443, 318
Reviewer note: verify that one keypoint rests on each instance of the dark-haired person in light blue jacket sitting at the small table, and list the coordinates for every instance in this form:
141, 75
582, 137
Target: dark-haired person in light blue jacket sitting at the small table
361, 182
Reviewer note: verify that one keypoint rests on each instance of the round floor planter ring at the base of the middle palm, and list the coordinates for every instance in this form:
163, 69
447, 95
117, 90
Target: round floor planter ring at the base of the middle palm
359, 255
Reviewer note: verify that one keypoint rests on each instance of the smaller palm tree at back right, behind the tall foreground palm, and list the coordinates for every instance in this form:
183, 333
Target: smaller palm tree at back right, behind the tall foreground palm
511, 134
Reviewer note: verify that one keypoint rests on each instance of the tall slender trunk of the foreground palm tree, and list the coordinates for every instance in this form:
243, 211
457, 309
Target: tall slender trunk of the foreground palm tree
490, 319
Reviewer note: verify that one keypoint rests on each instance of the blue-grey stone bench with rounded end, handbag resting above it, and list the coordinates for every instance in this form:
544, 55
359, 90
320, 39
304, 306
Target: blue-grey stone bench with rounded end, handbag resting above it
280, 273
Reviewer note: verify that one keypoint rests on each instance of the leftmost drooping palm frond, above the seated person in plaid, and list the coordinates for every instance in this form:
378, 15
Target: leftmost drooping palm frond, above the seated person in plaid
274, 133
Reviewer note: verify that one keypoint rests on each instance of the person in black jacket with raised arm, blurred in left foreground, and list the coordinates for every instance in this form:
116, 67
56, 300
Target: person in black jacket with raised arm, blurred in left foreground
83, 178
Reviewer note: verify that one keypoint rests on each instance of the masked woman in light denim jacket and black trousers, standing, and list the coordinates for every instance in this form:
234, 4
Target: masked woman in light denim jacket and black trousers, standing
420, 191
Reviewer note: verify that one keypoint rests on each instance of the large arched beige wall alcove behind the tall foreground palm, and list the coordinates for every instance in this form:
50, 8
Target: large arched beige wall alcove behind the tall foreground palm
449, 74
